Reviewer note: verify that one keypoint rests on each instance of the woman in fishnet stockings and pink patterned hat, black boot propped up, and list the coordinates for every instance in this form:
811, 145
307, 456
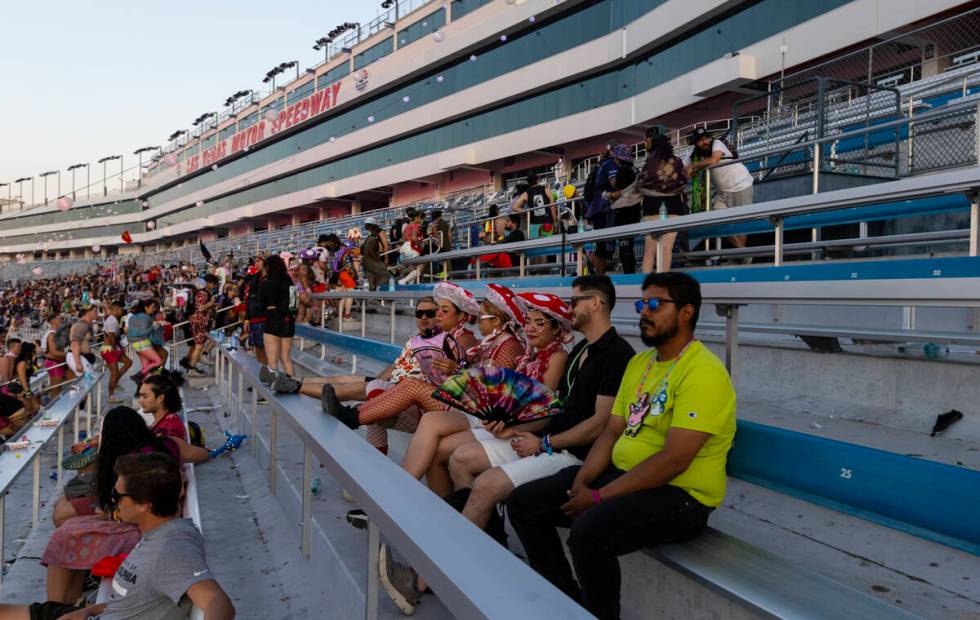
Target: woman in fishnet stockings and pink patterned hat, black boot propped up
456, 307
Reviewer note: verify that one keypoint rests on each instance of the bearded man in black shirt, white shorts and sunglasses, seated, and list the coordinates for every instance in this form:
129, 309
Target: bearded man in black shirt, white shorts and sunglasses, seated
494, 468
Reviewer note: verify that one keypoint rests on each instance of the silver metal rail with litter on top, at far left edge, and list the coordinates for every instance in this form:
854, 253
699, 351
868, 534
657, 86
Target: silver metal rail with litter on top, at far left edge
14, 460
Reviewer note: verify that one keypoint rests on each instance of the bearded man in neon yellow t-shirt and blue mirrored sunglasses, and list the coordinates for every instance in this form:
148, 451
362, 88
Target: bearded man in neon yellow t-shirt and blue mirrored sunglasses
657, 471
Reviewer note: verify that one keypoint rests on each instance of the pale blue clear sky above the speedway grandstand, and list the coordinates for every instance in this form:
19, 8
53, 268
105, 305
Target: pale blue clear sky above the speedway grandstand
88, 78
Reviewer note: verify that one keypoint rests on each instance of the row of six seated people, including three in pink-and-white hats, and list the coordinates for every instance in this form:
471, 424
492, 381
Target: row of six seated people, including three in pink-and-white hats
635, 456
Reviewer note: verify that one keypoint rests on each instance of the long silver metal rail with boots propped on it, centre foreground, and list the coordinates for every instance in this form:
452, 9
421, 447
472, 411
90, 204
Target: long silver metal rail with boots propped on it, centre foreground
474, 576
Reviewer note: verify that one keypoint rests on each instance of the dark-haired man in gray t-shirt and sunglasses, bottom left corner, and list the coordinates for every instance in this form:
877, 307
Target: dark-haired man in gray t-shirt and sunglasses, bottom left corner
166, 573
